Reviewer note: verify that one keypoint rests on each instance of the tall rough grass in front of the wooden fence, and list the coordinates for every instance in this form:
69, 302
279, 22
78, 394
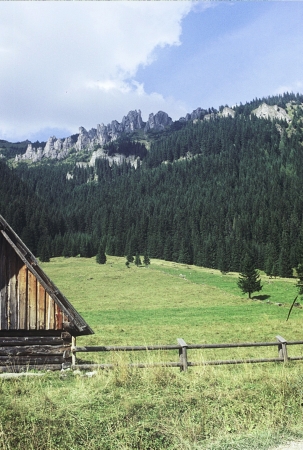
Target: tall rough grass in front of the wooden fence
154, 409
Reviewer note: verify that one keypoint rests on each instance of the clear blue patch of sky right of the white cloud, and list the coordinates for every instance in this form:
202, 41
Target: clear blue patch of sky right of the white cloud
231, 53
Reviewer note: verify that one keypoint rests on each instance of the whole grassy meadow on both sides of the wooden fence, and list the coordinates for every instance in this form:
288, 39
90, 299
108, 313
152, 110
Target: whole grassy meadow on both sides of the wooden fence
249, 406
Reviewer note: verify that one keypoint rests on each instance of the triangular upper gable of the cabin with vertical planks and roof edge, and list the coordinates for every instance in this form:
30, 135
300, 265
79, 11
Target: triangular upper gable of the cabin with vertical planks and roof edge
29, 300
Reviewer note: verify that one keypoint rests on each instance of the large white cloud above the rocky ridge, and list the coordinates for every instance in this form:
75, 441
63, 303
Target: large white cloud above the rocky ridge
66, 64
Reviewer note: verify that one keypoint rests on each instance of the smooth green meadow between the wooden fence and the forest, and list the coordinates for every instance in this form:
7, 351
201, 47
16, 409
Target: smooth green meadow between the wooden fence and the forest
156, 305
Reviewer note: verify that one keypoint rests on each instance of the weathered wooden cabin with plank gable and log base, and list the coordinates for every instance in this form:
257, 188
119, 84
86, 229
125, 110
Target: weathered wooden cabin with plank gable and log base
37, 322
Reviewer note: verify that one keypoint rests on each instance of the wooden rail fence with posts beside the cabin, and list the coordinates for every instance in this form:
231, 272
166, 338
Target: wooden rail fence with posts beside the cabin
183, 363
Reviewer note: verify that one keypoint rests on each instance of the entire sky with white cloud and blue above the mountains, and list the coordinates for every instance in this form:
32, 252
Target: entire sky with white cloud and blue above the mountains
70, 64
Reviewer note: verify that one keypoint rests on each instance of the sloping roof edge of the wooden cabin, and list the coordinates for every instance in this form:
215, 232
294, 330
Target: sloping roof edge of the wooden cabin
76, 324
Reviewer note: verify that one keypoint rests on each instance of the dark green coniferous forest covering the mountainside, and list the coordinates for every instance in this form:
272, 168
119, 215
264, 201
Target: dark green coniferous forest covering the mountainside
207, 192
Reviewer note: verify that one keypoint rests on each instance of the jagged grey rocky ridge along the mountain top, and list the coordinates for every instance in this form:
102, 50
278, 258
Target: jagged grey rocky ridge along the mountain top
93, 140
